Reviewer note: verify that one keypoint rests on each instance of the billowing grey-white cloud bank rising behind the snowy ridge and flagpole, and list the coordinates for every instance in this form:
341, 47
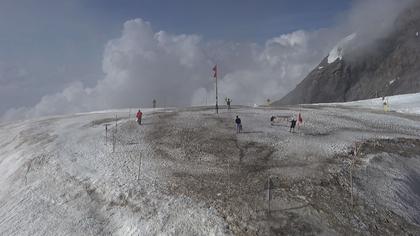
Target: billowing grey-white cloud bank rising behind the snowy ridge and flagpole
144, 64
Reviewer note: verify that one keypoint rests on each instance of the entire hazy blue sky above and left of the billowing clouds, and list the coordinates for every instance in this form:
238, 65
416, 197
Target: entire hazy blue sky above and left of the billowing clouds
47, 44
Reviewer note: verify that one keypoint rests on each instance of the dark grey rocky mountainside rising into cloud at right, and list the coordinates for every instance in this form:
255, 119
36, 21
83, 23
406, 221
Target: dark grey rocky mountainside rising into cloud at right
389, 66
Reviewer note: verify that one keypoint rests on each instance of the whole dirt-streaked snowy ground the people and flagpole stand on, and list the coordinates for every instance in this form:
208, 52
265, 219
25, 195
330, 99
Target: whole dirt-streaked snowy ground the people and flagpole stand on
186, 172
